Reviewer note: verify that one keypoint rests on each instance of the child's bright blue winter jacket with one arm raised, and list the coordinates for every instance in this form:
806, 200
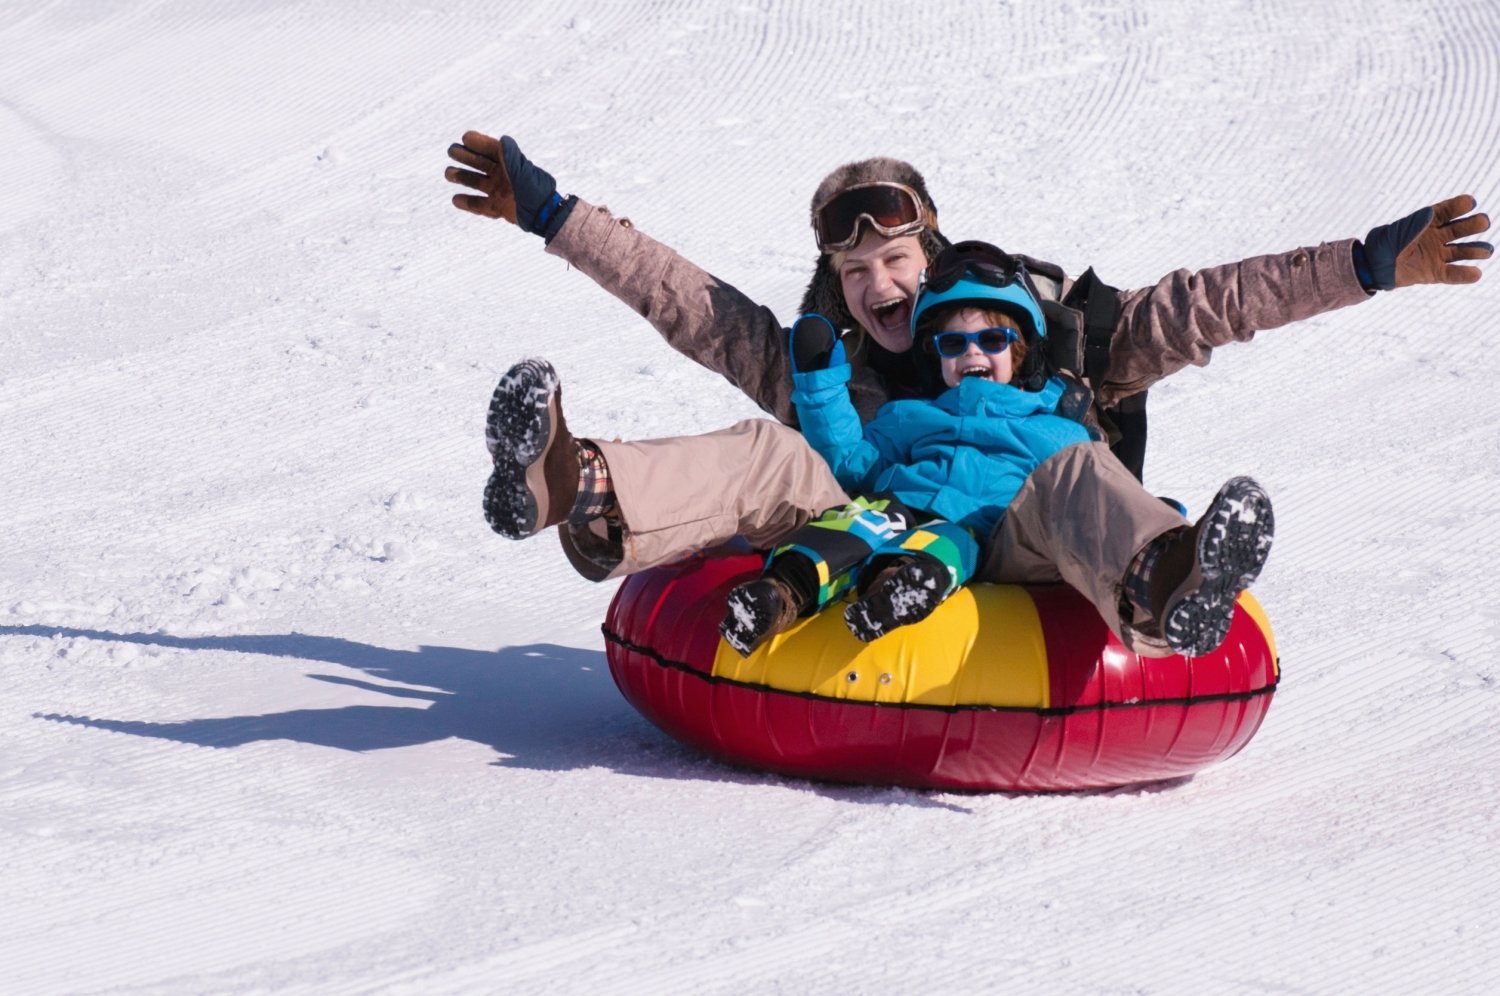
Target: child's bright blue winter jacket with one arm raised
961, 457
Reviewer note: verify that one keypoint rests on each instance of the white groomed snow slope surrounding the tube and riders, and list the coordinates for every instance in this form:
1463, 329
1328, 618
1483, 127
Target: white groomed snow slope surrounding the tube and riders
281, 715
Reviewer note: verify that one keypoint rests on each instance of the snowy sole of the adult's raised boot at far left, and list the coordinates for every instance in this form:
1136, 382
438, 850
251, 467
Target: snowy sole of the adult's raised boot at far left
518, 431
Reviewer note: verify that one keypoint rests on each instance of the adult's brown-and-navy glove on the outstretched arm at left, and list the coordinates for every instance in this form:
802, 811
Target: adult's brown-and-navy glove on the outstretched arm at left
512, 187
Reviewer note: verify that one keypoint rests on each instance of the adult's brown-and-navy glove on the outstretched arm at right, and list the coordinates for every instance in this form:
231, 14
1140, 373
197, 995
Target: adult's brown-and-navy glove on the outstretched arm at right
1424, 248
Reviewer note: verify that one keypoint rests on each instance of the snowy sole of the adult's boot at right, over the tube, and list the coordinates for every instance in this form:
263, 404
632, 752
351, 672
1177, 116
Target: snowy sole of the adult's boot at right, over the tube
1232, 550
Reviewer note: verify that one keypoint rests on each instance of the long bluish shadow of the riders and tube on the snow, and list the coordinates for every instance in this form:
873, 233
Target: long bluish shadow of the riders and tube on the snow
542, 706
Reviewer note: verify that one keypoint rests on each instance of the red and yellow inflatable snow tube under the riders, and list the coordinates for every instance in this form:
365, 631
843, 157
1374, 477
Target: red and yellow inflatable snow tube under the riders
1003, 688
